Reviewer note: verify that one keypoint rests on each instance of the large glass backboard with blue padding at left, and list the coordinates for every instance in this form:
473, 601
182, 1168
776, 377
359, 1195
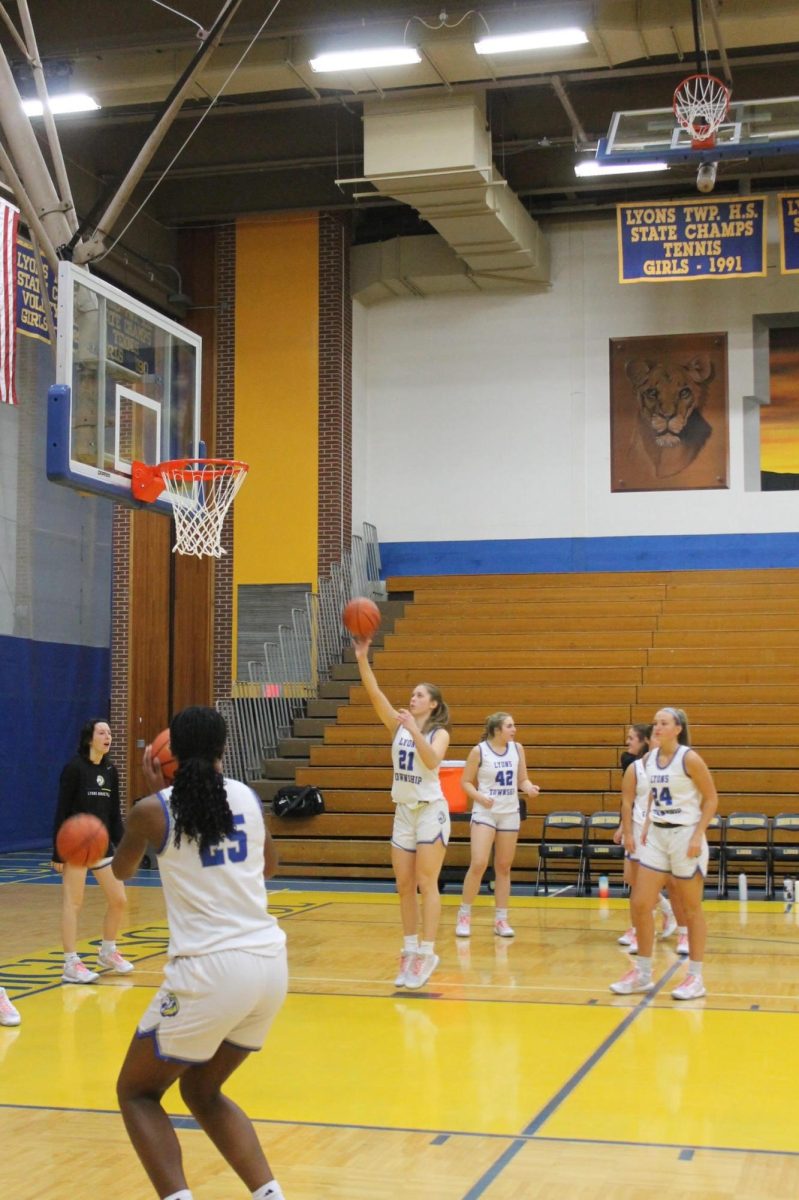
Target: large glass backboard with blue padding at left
128, 388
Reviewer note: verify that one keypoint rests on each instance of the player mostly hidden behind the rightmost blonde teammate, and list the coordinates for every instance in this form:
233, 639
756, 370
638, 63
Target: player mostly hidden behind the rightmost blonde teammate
635, 794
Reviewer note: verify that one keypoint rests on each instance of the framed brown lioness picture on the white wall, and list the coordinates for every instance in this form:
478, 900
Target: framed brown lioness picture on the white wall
669, 413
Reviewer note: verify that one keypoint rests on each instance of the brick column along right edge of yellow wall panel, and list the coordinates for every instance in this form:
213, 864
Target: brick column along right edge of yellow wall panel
335, 391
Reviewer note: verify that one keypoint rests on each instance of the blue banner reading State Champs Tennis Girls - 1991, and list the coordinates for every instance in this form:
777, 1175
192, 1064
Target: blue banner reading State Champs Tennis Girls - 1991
692, 241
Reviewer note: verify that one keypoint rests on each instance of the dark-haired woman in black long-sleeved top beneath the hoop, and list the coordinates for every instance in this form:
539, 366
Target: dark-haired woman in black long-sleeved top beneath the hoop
89, 784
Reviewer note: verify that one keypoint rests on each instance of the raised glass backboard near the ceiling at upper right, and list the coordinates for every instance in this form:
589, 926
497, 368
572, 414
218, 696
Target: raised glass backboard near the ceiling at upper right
754, 129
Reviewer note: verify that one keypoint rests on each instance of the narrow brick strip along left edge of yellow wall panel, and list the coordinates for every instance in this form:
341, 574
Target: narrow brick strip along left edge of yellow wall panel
223, 622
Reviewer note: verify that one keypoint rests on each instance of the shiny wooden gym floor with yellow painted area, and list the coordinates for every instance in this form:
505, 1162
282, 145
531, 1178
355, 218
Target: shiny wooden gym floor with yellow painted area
516, 1075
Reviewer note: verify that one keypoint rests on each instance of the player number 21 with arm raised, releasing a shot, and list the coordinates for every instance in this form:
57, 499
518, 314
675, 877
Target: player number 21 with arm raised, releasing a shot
422, 819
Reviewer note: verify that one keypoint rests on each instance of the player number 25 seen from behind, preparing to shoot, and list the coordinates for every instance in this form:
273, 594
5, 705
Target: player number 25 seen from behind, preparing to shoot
226, 975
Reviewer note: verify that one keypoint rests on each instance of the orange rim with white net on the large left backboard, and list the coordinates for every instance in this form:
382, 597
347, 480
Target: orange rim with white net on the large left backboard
201, 491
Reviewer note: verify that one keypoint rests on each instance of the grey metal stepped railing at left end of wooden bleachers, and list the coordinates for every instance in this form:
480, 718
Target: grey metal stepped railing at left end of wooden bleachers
262, 709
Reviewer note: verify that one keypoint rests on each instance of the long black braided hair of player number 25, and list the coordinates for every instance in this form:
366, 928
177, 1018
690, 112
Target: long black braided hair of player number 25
200, 803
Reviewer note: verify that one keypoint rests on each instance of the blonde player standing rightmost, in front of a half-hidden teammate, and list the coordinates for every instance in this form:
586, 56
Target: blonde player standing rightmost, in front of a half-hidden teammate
674, 845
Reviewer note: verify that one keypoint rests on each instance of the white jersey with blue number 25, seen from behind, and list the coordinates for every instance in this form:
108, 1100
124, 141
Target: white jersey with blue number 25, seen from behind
218, 901
